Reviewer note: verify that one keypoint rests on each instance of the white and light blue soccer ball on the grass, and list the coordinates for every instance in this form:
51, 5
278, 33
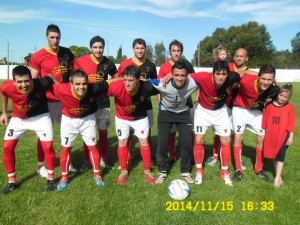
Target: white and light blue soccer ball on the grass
178, 189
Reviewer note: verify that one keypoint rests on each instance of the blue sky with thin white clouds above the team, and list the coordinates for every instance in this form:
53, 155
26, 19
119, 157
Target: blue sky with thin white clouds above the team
119, 22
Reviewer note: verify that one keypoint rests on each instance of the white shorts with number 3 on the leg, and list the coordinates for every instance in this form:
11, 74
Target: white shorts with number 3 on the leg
41, 124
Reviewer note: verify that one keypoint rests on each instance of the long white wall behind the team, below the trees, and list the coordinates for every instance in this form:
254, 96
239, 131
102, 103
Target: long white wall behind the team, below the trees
282, 75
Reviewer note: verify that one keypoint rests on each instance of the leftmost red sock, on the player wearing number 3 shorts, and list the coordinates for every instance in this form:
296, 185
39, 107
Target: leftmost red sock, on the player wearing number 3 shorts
9, 157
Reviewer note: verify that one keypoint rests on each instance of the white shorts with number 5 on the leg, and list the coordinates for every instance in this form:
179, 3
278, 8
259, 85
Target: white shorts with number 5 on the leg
140, 127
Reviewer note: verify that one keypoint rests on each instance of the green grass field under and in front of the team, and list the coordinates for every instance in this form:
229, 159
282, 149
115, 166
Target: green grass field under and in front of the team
251, 201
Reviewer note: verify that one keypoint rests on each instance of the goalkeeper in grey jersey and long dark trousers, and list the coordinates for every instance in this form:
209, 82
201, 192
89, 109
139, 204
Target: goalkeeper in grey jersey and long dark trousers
174, 109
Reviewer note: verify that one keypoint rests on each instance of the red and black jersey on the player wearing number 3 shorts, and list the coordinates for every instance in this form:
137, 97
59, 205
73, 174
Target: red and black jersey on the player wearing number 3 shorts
28, 105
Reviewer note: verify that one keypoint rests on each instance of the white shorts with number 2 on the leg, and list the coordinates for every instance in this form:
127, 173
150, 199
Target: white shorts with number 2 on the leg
244, 118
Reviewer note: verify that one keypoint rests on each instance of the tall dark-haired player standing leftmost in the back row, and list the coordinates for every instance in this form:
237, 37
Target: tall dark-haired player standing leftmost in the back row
57, 61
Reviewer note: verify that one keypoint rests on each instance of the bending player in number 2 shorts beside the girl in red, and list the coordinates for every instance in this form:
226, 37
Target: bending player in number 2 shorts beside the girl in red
253, 93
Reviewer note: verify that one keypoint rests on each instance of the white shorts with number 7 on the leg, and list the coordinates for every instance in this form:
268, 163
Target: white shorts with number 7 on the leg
71, 127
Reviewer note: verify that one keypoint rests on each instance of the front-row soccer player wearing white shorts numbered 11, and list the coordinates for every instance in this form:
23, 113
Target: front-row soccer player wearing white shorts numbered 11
215, 88
